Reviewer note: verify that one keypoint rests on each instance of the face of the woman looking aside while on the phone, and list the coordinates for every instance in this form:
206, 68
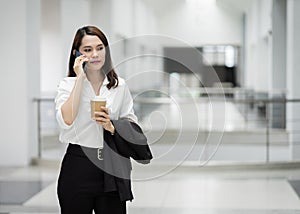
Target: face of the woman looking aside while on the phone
92, 47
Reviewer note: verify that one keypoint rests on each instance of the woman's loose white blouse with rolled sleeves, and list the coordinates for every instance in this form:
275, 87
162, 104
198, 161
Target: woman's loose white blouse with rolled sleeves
84, 131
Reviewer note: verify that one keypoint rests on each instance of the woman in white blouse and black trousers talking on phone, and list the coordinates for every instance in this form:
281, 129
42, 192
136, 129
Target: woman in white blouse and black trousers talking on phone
81, 184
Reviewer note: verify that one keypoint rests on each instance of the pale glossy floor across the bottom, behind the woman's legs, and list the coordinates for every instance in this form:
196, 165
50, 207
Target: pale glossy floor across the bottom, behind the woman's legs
160, 189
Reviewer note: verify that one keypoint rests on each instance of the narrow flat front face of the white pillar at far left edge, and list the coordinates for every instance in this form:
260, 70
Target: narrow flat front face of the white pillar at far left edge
13, 84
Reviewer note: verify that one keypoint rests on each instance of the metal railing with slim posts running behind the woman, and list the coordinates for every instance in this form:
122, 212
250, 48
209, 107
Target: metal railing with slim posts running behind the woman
244, 105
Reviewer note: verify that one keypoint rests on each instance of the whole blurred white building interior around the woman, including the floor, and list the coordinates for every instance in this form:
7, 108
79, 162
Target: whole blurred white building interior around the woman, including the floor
215, 88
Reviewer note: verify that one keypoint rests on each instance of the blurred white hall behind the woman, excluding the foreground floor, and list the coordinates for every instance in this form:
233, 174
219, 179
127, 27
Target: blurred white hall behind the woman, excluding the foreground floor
214, 82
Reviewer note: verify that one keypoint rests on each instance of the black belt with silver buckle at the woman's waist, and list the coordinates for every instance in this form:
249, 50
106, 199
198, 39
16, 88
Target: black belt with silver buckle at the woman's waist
83, 151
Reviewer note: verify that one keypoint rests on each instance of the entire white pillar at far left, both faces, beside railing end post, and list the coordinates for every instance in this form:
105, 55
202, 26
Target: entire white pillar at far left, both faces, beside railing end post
20, 80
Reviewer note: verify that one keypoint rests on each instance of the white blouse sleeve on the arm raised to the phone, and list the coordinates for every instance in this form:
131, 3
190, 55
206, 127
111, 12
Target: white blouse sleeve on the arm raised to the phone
63, 93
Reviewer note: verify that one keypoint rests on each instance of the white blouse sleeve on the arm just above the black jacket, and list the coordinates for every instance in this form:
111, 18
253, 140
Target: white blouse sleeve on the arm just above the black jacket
127, 106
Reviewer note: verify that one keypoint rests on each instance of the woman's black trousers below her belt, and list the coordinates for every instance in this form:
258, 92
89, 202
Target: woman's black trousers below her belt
80, 185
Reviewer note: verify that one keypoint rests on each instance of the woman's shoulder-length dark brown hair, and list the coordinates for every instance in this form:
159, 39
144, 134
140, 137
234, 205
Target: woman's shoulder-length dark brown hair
107, 67
